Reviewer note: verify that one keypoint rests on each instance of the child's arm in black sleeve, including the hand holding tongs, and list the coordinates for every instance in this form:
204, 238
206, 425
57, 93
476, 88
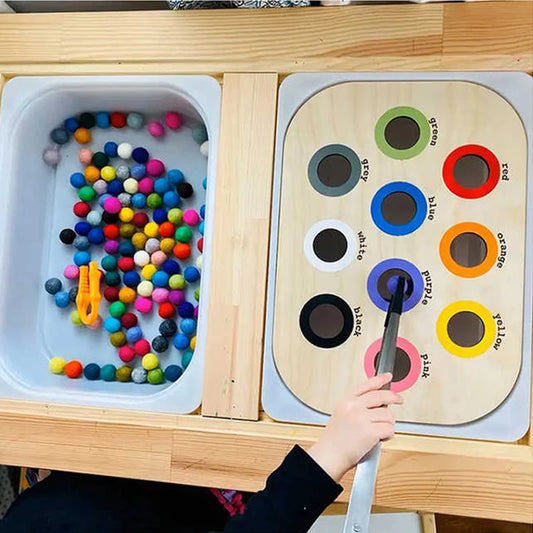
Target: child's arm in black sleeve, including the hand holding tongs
307, 482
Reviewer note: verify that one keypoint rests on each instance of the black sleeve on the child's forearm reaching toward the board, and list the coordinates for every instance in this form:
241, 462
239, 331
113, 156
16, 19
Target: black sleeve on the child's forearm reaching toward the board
294, 497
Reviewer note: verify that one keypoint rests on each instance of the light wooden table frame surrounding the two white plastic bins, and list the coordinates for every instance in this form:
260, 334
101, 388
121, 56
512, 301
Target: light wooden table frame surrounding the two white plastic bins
231, 444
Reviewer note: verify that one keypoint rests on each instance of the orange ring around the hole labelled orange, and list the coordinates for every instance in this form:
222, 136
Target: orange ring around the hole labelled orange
460, 270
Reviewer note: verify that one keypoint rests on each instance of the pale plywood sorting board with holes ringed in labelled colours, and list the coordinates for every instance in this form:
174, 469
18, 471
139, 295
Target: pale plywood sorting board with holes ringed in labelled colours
449, 388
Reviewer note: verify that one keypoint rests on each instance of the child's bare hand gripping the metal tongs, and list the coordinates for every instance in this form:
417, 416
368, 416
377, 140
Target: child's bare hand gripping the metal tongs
358, 423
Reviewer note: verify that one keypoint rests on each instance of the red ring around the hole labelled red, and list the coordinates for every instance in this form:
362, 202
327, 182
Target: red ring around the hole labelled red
476, 192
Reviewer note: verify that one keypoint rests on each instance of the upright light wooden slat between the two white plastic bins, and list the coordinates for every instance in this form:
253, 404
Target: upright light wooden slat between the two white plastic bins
240, 247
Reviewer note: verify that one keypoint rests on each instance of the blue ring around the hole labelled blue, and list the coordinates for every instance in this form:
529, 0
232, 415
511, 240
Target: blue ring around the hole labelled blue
403, 229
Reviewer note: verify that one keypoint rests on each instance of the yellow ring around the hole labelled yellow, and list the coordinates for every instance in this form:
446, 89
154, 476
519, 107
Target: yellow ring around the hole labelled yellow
482, 312
